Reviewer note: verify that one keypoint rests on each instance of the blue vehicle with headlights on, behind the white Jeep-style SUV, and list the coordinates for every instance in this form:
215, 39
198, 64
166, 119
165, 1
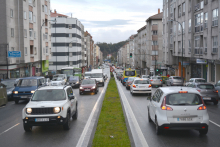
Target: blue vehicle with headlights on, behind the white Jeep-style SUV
26, 87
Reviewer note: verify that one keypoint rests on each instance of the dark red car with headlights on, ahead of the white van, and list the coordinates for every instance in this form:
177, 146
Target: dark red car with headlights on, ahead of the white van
88, 86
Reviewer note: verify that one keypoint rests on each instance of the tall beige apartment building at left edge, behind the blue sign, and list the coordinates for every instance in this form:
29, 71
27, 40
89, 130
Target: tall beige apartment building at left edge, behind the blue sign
22, 23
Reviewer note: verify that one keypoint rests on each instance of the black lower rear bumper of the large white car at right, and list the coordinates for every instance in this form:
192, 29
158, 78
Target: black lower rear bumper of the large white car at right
184, 126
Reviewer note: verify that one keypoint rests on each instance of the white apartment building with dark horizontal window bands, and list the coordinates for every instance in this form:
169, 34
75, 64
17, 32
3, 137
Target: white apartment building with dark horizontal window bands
67, 42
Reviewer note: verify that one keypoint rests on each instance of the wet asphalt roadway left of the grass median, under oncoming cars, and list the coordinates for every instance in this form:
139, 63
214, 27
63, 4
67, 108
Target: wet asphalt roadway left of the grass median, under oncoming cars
12, 133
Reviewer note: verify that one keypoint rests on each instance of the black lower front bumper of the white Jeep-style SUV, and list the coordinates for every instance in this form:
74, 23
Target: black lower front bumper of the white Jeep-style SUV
52, 121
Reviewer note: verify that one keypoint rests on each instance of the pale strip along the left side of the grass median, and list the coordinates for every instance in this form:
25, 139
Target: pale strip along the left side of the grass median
86, 129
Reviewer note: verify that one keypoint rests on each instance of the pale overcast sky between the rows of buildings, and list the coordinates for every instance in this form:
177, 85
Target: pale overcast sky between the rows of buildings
109, 20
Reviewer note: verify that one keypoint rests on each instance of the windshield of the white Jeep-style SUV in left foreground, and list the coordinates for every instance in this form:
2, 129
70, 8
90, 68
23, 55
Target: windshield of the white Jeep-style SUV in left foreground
49, 95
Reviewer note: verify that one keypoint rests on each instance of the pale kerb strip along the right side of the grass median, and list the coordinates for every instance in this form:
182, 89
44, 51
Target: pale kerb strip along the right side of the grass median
132, 120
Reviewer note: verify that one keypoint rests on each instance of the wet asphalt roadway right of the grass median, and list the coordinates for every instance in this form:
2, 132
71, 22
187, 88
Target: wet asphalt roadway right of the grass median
175, 138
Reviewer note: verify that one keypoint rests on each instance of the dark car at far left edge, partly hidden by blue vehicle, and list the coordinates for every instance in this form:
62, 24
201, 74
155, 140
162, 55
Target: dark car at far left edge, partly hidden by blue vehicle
9, 83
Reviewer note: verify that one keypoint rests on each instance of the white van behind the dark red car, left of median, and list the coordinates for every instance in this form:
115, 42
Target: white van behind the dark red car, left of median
97, 74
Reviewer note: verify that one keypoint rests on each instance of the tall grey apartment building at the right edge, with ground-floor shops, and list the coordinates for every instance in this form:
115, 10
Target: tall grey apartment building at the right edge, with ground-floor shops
200, 23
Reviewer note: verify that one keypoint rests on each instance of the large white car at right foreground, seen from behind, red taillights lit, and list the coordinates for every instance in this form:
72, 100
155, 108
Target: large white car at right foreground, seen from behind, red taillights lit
178, 108
